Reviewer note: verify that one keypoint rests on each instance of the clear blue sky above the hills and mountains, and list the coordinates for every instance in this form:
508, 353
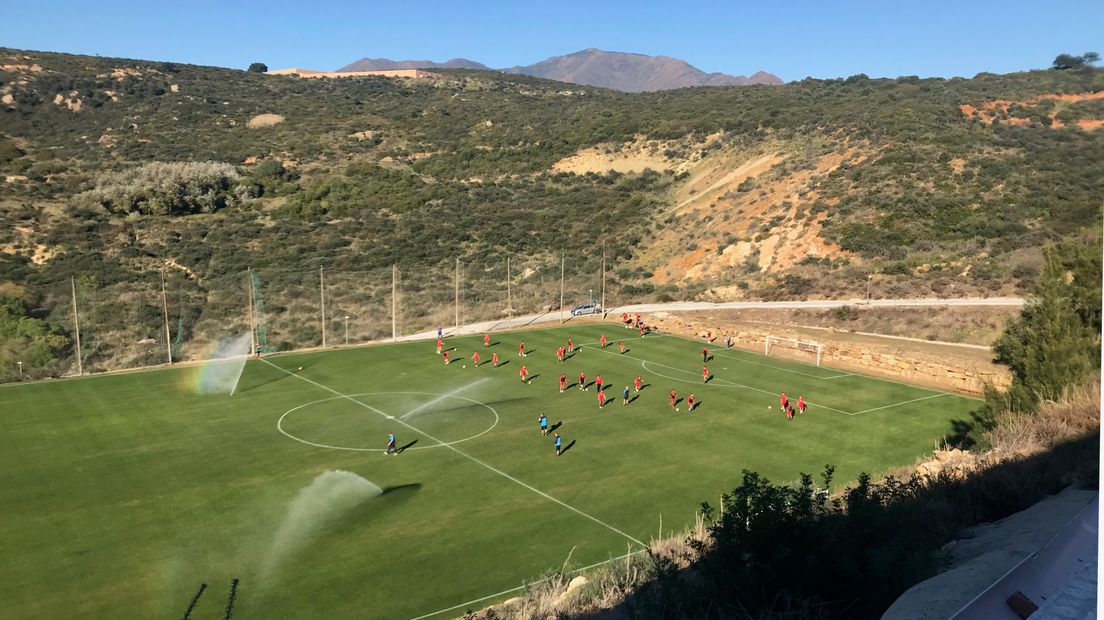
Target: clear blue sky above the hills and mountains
793, 40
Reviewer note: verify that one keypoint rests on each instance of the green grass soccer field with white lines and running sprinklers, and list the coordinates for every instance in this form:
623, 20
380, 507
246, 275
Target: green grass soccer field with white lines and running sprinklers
124, 494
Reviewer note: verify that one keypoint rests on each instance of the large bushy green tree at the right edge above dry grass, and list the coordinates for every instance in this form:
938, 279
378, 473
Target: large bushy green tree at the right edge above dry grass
1056, 341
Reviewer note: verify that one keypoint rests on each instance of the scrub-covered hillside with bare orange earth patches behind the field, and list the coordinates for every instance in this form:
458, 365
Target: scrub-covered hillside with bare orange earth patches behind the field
118, 170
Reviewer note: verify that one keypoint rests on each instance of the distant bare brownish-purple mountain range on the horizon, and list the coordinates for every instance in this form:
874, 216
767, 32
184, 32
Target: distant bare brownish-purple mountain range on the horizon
632, 73
